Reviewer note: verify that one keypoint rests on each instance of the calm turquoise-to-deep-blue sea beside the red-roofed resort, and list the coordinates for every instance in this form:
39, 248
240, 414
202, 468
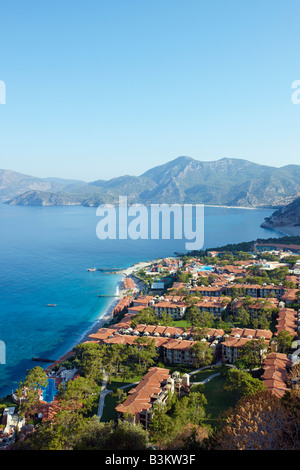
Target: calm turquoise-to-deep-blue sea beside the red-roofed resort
45, 256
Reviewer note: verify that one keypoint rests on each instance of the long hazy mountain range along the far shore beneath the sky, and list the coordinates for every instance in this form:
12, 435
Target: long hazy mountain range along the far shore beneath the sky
228, 181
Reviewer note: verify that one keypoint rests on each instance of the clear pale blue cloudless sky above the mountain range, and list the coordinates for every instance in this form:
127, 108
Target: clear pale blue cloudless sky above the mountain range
97, 89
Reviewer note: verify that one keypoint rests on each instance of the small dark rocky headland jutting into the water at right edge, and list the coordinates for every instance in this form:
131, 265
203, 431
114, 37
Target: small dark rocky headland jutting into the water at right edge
286, 216
